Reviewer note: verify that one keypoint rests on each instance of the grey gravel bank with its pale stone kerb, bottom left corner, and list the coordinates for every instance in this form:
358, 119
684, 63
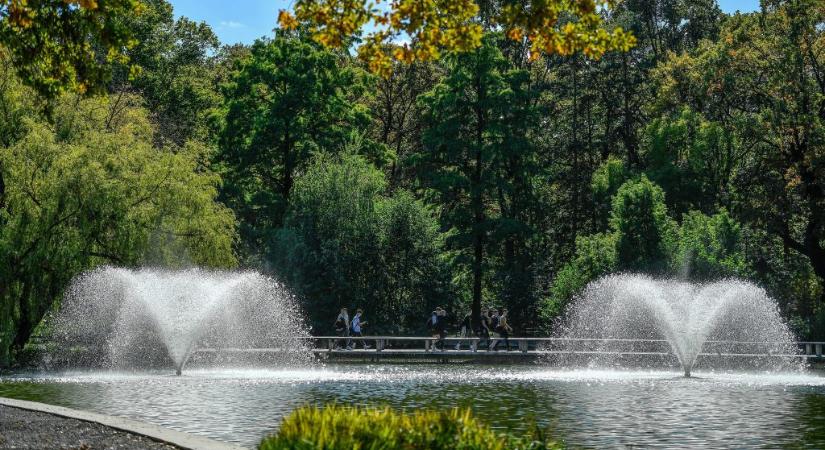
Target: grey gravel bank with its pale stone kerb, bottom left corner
32, 425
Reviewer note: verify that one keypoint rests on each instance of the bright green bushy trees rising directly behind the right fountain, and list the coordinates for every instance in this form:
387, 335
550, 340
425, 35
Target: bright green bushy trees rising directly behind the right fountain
644, 238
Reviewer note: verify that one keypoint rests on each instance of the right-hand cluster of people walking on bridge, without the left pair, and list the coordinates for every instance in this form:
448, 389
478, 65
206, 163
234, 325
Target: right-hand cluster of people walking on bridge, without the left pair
493, 327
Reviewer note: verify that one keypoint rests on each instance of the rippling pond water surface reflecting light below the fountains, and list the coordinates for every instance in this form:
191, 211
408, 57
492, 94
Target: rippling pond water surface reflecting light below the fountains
594, 409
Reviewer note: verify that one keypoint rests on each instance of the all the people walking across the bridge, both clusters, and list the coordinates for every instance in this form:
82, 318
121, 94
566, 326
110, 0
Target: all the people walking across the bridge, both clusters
493, 328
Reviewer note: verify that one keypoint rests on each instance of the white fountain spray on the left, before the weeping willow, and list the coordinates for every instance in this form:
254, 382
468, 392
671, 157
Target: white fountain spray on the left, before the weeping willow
134, 318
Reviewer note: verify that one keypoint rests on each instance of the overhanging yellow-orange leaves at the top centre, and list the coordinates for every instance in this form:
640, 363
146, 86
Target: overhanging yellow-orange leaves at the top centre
435, 26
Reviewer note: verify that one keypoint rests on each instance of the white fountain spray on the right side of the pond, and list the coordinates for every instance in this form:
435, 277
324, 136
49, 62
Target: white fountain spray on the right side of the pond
732, 318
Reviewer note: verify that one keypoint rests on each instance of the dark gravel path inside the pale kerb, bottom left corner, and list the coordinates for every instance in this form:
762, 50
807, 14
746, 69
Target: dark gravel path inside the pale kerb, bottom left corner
29, 430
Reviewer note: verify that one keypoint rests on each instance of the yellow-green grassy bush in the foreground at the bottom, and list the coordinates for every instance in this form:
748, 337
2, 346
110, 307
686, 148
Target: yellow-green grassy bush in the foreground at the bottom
346, 428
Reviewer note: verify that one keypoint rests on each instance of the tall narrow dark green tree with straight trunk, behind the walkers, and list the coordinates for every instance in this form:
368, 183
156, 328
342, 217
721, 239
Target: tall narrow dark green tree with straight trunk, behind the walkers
476, 161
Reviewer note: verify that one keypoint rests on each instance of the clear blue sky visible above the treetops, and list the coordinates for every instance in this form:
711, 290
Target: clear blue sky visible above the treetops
246, 20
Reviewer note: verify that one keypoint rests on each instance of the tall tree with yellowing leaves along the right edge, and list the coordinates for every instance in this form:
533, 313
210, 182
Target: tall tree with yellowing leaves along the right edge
763, 81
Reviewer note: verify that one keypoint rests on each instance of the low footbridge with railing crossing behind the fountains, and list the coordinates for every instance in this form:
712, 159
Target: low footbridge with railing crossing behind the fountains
373, 348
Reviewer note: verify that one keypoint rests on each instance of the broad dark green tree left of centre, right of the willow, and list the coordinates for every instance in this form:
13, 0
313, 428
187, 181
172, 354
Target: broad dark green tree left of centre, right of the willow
288, 99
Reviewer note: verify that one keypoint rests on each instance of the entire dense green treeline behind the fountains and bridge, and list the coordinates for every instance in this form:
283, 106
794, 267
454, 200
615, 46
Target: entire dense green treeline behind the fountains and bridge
484, 178
